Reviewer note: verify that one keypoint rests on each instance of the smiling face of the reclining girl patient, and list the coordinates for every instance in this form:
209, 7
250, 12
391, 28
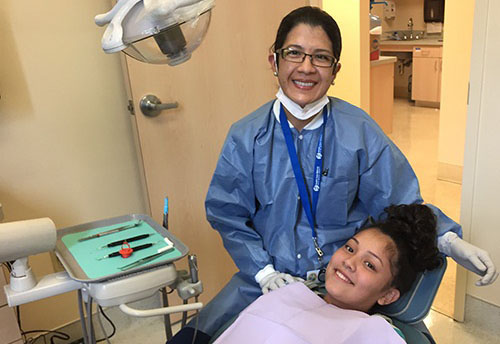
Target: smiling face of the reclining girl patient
359, 273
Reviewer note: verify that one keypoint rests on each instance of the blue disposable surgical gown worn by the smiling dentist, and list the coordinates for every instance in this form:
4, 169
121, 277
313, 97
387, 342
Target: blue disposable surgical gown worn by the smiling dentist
253, 198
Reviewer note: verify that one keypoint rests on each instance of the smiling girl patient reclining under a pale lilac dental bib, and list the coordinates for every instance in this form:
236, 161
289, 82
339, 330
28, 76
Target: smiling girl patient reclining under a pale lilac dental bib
375, 266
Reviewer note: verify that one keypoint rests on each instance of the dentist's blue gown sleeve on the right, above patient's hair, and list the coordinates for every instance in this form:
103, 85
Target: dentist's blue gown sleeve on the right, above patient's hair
387, 178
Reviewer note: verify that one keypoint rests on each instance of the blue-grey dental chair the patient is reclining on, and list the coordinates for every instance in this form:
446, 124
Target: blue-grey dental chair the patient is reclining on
409, 311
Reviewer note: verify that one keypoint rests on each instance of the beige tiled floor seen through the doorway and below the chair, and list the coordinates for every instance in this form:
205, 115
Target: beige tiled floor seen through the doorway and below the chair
416, 133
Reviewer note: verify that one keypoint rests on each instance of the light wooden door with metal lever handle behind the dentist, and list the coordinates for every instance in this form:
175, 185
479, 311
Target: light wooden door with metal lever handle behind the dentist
227, 77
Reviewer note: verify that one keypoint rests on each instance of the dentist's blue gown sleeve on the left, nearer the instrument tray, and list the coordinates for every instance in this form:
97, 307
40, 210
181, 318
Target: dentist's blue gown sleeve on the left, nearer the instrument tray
230, 205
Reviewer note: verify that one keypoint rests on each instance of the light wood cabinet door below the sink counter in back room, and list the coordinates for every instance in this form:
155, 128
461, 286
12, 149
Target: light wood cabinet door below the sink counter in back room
426, 80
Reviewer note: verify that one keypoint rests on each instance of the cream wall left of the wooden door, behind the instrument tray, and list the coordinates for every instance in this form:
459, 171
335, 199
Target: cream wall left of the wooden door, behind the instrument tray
66, 139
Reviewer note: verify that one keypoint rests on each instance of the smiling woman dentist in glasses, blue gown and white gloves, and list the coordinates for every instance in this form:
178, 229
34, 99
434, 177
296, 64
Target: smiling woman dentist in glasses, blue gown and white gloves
298, 177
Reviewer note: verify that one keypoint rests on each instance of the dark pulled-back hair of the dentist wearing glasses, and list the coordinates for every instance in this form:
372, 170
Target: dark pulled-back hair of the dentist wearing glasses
314, 17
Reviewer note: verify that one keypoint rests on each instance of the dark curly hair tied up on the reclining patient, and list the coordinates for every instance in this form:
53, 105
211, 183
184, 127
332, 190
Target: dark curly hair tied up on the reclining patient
412, 227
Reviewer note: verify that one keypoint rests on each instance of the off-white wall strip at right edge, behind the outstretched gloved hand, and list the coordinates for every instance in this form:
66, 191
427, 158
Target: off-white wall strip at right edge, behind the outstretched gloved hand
481, 186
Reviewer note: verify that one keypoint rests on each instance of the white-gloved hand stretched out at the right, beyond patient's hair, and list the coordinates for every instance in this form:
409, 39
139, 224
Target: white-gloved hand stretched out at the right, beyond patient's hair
469, 256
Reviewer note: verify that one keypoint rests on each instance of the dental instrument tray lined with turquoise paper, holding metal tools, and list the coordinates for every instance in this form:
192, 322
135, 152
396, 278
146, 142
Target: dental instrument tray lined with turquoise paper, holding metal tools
79, 247
